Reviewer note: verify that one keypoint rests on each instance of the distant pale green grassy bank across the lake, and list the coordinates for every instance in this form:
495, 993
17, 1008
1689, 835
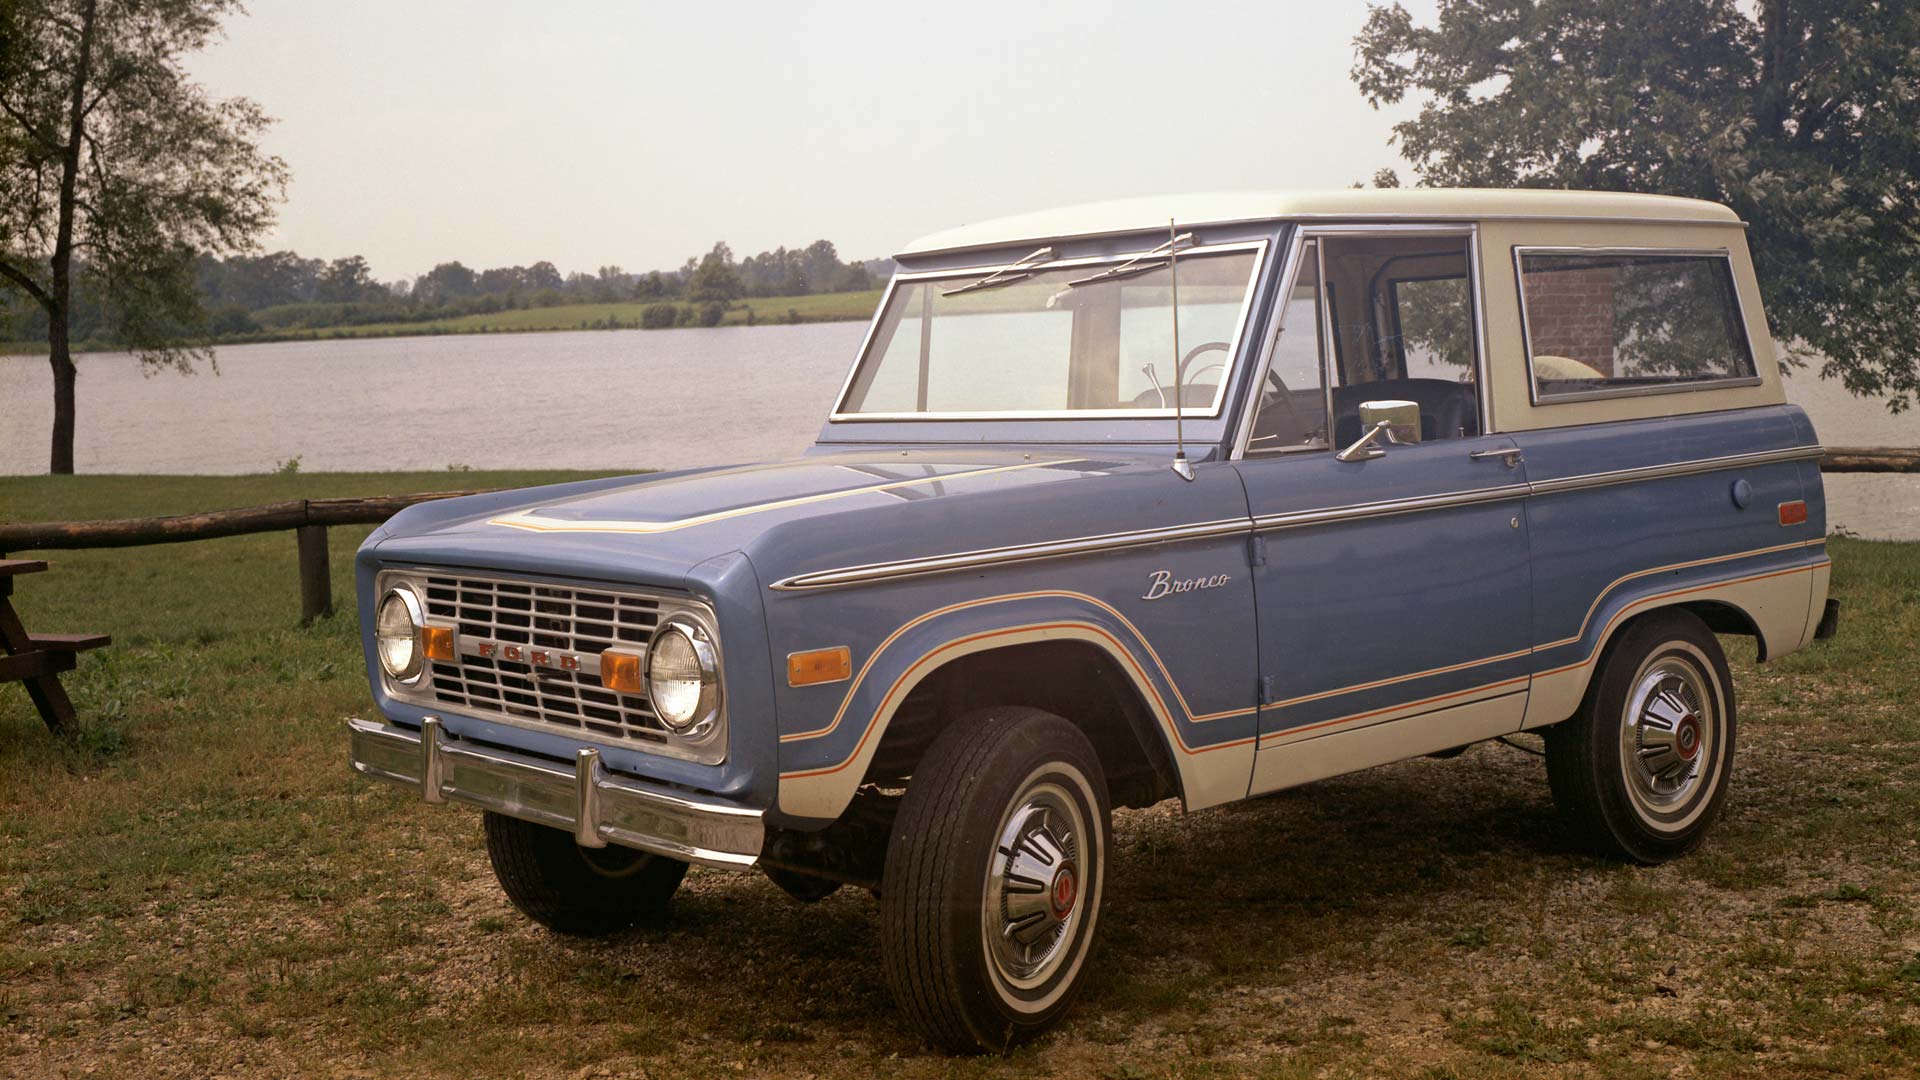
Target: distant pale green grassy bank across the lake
819, 308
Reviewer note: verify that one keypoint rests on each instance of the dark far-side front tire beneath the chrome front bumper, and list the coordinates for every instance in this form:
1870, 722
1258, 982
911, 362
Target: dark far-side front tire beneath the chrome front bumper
579, 891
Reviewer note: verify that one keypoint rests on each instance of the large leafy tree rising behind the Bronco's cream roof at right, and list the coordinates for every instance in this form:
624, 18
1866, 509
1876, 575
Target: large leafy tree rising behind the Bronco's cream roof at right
1804, 116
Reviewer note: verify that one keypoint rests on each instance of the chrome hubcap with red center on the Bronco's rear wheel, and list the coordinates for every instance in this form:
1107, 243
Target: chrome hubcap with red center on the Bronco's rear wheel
1668, 735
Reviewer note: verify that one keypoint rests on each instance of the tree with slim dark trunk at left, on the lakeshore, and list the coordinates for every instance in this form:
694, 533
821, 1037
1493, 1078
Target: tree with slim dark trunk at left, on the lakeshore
116, 166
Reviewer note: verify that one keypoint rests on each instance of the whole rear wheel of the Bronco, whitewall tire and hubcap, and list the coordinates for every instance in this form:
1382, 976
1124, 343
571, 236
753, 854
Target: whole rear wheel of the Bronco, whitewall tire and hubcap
1643, 770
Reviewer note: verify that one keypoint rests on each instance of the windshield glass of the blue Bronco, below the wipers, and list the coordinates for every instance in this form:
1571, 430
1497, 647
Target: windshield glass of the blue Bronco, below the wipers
1057, 341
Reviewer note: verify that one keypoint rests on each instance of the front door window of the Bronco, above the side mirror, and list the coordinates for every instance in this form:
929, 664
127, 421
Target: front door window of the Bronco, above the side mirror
1372, 320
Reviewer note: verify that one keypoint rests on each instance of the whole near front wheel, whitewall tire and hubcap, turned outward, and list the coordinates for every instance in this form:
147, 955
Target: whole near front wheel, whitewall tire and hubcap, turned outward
994, 881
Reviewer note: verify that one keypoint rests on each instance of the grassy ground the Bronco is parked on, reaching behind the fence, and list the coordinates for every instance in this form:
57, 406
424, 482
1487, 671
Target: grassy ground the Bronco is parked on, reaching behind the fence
197, 887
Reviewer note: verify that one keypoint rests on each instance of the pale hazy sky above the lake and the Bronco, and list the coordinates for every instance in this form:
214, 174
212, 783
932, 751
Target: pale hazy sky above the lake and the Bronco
636, 135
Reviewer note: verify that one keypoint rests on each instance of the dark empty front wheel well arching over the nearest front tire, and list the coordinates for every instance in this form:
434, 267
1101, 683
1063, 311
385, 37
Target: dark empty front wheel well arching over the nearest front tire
1070, 679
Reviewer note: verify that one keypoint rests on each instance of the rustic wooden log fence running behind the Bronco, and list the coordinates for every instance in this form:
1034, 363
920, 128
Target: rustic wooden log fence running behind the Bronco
310, 520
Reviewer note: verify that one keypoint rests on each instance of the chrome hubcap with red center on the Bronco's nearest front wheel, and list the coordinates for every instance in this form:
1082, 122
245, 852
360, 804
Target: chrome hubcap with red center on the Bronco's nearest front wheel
1034, 887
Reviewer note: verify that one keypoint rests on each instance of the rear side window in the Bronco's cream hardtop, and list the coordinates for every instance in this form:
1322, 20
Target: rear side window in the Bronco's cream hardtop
1606, 324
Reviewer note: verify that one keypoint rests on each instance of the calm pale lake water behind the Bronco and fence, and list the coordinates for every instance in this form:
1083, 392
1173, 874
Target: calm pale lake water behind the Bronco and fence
587, 401
